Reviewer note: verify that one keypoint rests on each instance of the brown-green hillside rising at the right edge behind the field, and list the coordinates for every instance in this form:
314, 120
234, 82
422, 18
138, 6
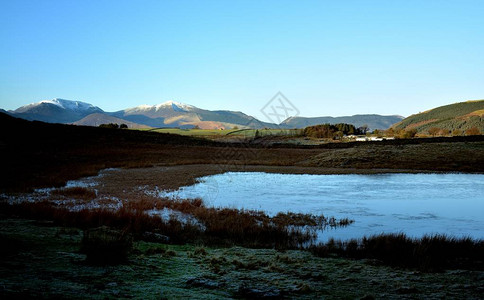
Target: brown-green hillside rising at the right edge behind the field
458, 116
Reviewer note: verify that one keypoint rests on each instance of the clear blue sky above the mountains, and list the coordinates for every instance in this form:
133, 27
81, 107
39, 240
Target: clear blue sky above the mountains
328, 57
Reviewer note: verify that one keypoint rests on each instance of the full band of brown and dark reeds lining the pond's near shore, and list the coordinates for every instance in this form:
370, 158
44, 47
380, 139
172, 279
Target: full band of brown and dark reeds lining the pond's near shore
285, 231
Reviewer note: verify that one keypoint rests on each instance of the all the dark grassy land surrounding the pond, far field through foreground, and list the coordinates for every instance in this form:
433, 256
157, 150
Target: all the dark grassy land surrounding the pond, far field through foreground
46, 256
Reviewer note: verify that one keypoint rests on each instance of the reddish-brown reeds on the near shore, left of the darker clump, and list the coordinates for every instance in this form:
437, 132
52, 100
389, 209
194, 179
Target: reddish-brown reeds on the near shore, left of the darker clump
219, 226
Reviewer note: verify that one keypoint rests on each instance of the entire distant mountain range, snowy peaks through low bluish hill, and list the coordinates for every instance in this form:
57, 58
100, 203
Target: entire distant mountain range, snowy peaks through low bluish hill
175, 114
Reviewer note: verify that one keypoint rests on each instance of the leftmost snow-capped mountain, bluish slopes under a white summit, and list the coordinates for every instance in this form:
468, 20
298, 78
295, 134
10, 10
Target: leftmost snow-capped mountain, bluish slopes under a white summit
56, 111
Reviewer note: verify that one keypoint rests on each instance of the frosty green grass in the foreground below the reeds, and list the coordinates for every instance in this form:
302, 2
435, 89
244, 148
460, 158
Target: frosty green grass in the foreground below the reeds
44, 261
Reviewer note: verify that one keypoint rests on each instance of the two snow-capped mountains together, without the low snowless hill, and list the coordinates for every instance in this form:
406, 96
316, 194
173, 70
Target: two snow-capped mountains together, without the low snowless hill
165, 114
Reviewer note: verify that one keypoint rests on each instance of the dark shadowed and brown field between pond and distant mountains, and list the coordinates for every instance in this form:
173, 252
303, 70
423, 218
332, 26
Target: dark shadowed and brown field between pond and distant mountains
37, 154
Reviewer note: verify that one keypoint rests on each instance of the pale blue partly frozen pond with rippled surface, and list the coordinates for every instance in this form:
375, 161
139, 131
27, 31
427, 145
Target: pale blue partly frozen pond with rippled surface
415, 204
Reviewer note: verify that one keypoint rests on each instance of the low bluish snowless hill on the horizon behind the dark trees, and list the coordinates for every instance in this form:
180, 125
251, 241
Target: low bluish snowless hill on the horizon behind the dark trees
373, 121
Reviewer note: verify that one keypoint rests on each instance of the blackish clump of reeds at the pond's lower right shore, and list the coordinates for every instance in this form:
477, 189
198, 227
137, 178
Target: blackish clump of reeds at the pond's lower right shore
430, 253
